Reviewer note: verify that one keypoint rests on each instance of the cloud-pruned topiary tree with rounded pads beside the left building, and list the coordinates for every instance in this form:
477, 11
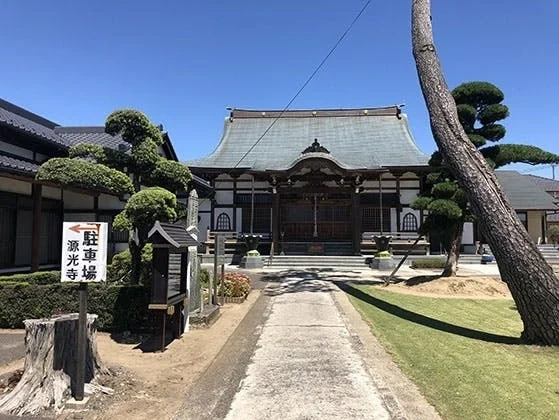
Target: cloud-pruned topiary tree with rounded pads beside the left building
103, 169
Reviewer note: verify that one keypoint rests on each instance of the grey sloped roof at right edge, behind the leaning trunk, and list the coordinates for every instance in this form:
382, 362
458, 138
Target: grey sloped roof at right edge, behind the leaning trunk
523, 193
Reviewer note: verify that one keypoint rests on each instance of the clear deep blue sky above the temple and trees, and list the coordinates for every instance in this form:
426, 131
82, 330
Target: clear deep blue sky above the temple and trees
183, 63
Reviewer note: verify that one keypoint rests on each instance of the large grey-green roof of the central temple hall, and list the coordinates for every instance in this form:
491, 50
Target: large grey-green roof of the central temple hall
358, 138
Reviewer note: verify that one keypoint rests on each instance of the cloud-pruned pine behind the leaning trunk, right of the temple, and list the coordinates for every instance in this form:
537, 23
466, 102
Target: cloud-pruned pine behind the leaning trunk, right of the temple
480, 108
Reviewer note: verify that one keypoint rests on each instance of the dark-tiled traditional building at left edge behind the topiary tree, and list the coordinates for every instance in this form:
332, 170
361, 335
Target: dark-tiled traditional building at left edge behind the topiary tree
32, 211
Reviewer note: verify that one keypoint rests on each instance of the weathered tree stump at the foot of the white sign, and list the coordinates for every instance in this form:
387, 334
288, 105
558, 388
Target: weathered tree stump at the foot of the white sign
50, 364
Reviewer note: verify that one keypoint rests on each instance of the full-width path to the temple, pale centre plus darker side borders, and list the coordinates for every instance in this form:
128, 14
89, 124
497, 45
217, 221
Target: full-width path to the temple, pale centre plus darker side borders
303, 352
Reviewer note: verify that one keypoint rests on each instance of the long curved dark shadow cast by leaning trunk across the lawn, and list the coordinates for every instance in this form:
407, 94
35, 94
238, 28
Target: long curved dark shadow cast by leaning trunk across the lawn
425, 320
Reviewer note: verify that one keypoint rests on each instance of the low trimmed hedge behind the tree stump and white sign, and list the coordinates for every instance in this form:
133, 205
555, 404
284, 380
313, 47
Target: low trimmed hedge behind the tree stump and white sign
119, 307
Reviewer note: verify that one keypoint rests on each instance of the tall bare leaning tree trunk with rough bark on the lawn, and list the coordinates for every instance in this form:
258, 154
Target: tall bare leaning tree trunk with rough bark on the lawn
534, 286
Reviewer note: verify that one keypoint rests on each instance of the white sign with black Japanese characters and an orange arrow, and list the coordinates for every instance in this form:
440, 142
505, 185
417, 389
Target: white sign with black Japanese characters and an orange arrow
84, 252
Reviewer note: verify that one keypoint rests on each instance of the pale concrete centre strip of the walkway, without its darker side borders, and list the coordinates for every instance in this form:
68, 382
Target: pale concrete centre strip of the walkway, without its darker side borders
305, 365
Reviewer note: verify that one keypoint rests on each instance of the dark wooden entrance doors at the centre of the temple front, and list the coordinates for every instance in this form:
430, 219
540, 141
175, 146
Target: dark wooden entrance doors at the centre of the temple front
315, 217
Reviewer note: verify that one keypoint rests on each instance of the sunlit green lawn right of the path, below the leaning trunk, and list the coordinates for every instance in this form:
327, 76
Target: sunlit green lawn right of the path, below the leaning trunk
464, 354
